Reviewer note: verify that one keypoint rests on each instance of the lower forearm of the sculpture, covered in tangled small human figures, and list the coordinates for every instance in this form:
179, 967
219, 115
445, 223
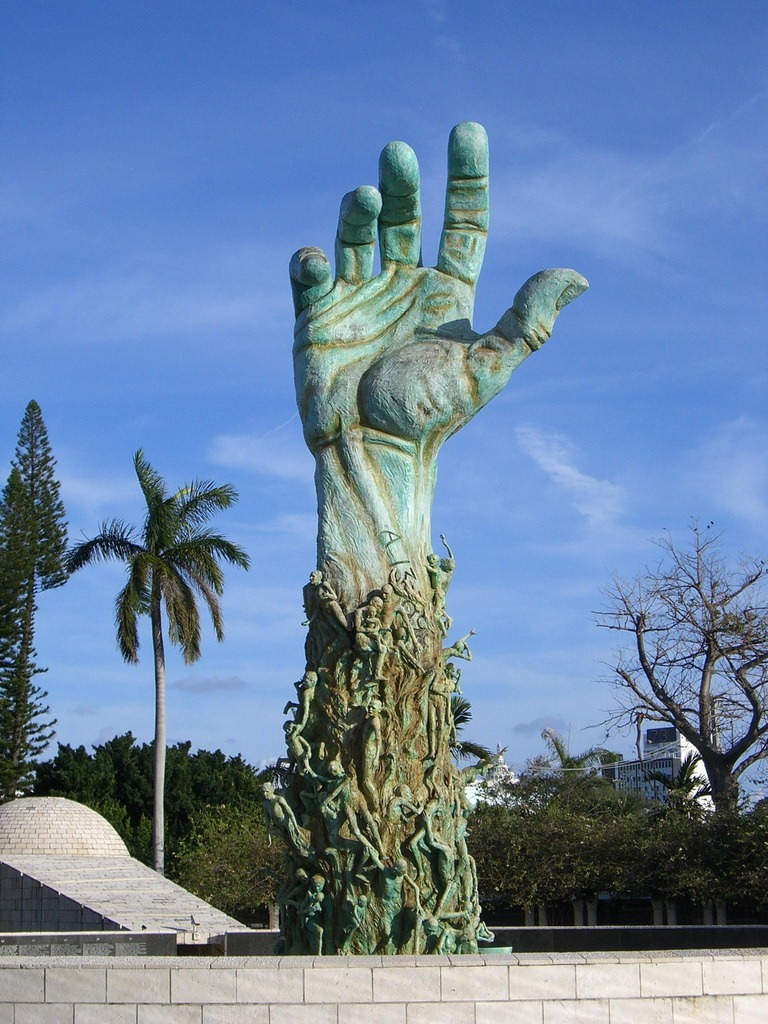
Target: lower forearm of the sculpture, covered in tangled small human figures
371, 803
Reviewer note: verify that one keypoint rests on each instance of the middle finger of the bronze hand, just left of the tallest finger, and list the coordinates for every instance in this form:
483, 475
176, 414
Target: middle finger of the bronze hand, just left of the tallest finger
400, 222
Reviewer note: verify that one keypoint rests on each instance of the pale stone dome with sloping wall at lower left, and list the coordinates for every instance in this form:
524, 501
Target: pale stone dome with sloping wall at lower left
65, 869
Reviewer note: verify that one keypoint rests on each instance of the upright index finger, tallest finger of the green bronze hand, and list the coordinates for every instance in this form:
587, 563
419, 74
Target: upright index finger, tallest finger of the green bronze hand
466, 224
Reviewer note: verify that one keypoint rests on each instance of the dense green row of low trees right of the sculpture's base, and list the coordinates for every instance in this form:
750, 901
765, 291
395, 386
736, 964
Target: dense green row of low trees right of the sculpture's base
561, 841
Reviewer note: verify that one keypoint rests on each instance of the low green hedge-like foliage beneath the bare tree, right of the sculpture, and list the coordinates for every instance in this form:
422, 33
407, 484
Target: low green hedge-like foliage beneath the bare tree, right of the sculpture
557, 838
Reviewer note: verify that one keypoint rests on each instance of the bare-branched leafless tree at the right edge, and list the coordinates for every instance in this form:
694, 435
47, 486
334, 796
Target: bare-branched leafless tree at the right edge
698, 658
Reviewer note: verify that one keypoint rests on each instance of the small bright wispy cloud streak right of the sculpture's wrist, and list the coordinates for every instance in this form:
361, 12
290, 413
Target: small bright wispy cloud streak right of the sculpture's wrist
600, 501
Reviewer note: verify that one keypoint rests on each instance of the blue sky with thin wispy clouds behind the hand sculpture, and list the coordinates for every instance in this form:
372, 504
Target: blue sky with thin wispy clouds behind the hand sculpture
163, 161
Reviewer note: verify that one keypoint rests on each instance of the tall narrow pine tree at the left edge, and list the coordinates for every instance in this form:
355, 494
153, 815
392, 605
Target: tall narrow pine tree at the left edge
33, 541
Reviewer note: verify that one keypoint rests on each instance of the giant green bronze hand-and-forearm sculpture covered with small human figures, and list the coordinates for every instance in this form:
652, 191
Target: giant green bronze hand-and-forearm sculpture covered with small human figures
388, 367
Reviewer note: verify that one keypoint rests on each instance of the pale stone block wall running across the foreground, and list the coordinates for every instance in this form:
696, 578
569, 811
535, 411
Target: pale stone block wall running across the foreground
712, 988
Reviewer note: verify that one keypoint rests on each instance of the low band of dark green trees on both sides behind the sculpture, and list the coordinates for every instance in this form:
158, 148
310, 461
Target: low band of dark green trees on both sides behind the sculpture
551, 847
